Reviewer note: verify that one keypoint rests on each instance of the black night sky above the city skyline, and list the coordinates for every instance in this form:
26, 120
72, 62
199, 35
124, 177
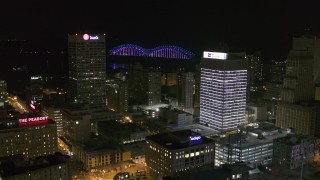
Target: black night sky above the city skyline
244, 25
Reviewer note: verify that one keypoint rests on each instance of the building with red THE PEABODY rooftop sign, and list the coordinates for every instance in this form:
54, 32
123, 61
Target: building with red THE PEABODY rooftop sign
29, 136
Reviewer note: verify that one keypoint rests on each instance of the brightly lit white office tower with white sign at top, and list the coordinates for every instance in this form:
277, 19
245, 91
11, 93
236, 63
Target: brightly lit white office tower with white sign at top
223, 90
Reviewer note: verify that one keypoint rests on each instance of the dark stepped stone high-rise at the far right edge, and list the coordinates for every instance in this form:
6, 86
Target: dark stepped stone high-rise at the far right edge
295, 108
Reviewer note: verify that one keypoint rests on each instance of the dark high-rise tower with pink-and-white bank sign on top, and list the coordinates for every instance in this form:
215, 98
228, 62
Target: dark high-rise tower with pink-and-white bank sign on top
87, 68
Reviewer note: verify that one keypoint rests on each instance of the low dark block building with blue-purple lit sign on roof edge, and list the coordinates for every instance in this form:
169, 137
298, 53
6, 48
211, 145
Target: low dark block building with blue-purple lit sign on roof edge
168, 154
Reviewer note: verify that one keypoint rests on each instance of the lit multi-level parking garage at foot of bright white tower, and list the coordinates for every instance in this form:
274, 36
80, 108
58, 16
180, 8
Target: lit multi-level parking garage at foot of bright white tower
254, 146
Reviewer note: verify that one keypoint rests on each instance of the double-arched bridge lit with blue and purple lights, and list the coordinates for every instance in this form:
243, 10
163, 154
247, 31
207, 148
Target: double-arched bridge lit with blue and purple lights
168, 52
